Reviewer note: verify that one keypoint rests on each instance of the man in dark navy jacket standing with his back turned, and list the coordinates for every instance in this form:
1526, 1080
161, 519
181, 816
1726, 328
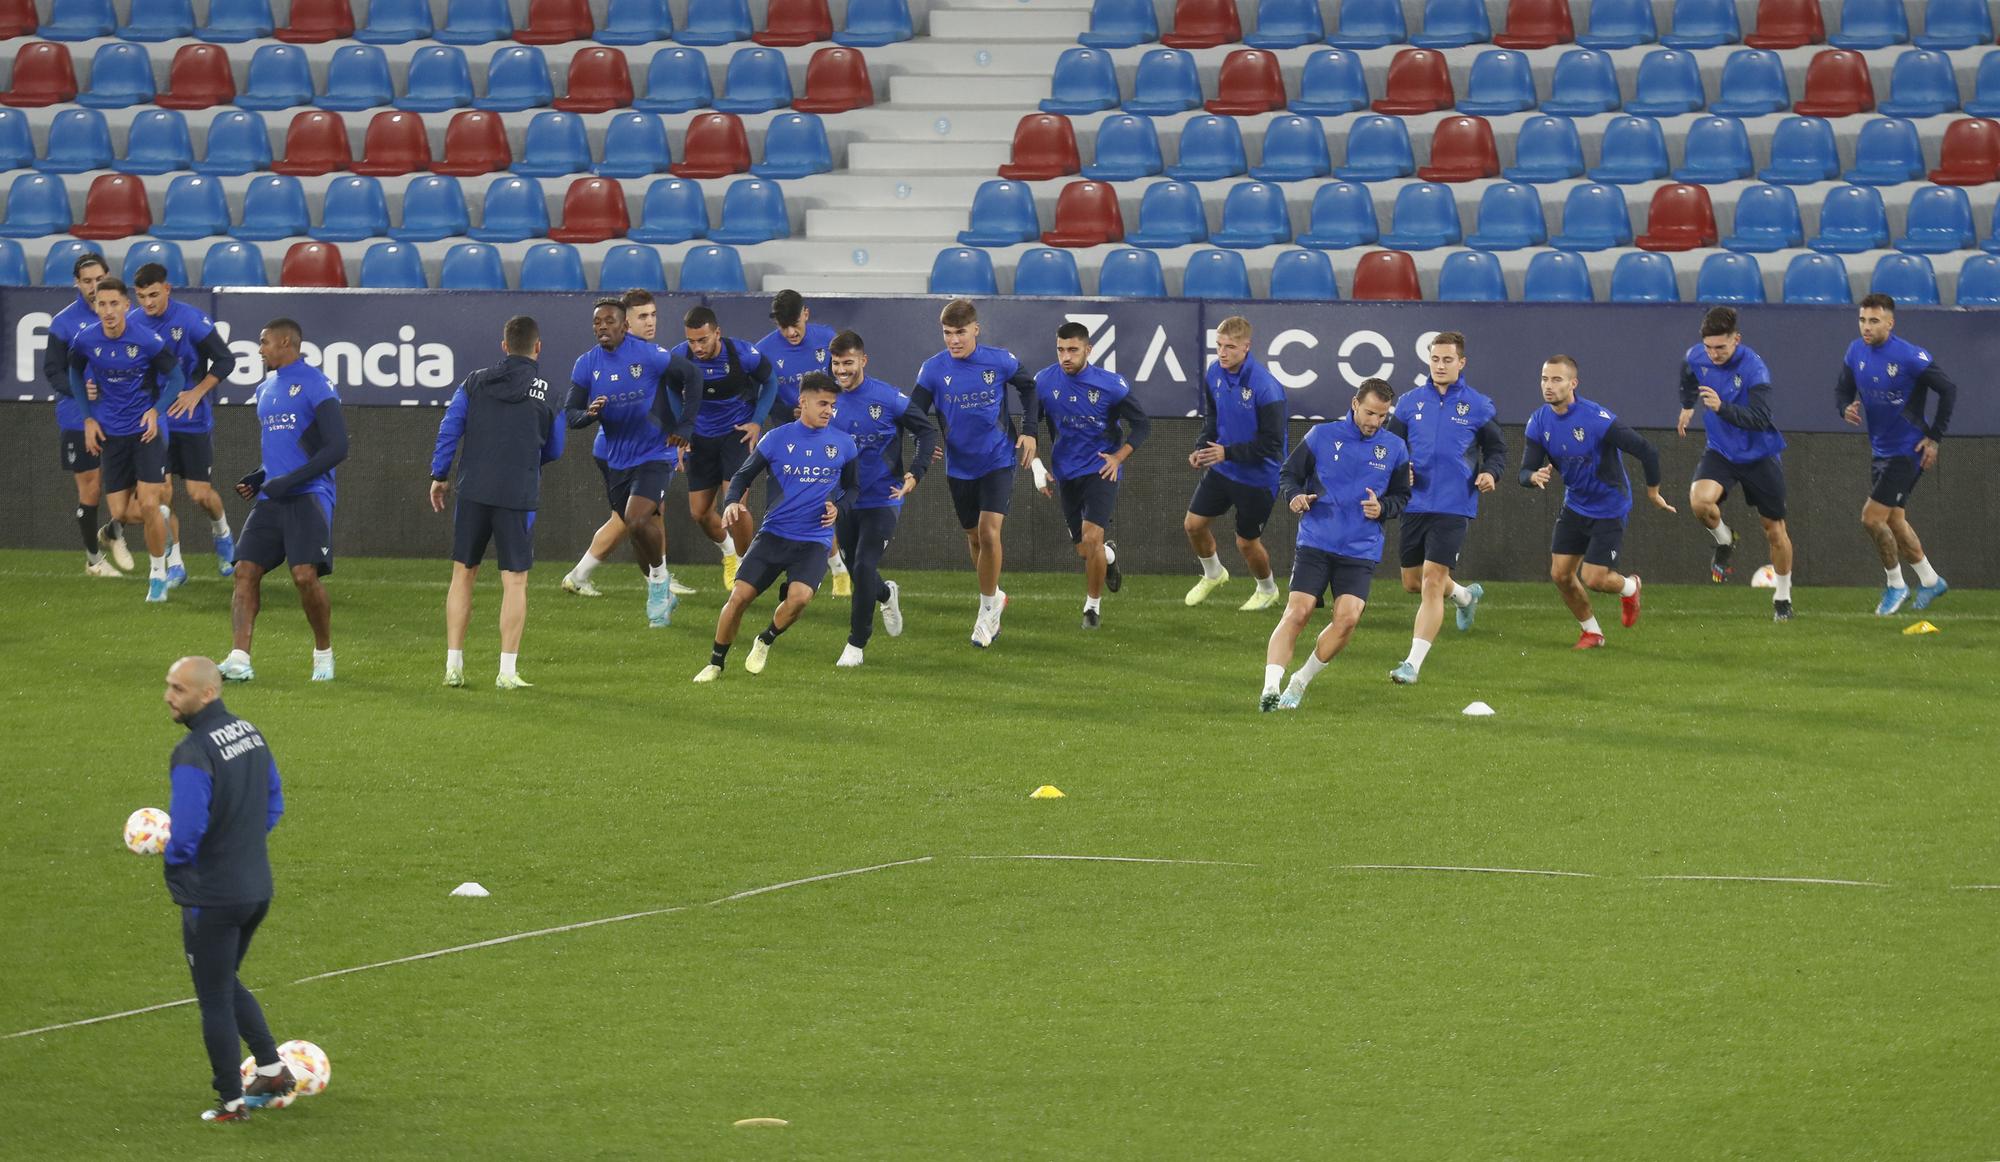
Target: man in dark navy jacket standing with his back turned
509, 425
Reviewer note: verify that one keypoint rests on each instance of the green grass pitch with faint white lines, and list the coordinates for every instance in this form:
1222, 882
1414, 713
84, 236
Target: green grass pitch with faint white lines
1273, 1003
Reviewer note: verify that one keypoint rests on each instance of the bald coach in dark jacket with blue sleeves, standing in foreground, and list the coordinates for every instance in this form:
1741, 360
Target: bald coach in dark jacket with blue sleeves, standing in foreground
225, 803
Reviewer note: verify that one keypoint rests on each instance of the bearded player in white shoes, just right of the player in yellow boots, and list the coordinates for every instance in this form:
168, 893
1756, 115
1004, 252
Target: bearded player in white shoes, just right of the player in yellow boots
875, 417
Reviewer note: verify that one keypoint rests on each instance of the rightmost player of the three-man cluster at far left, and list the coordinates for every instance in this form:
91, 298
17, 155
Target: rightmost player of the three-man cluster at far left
191, 419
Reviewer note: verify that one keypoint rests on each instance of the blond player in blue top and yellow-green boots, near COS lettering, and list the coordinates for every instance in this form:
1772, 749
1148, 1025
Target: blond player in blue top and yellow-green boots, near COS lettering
1241, 451
